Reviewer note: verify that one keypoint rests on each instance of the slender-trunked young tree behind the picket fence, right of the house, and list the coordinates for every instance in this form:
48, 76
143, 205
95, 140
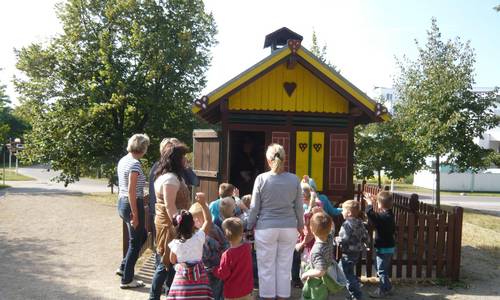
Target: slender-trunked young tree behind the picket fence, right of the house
437, 107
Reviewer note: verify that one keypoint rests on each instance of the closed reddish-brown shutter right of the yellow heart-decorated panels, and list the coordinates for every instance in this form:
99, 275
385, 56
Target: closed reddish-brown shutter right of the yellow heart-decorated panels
338, 162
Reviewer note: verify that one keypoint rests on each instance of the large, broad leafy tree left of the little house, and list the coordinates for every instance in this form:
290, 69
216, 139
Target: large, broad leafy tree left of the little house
120, 67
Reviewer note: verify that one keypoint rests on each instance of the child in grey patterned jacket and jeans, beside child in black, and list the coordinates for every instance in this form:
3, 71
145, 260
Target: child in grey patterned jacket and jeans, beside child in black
353, 237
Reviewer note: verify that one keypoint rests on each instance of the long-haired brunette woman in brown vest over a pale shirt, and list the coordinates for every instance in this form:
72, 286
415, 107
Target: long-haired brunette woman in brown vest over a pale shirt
172, 195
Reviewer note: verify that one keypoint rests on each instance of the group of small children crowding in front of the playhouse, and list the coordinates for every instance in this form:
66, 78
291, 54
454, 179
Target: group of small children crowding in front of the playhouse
214, 257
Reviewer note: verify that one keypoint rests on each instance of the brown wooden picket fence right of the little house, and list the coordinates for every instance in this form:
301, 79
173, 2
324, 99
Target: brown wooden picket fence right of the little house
428, 239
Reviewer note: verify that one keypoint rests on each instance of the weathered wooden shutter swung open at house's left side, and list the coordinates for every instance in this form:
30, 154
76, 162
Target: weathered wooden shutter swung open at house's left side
206, 152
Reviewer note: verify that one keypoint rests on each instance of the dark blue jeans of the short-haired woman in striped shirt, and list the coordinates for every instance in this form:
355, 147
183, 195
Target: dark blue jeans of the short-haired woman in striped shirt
137, 237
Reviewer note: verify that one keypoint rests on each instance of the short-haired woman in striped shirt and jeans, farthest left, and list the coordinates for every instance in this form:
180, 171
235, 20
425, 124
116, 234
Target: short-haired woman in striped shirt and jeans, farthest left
131, 181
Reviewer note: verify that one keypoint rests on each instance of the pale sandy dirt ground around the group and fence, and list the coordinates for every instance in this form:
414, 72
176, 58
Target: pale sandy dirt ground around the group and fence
56, 245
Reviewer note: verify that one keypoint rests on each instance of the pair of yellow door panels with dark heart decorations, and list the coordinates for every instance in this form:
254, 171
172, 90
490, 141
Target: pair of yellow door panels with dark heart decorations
309, 156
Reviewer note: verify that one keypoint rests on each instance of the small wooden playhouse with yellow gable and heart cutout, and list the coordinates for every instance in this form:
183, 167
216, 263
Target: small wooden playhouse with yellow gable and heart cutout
291, 98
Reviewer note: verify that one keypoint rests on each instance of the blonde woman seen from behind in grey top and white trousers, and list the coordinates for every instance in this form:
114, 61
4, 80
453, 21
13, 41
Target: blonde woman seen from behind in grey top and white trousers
276, 212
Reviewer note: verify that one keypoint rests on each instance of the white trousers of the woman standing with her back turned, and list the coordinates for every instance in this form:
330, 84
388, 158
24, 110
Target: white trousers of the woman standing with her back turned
274, 248
